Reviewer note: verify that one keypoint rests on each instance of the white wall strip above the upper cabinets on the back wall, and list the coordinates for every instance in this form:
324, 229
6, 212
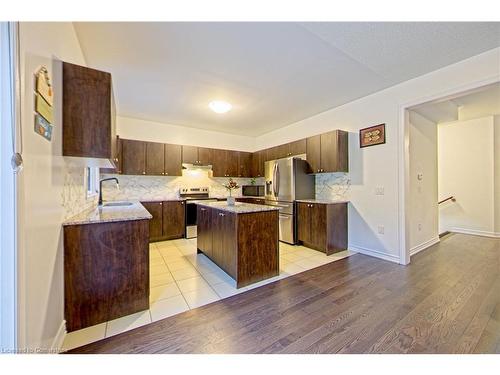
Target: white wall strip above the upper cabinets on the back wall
130, 128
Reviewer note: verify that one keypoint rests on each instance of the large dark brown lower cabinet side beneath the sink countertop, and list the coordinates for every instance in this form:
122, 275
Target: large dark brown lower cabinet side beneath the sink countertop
106, 271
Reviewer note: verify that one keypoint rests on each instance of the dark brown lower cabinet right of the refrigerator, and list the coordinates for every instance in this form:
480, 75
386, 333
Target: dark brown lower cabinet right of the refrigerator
322, 226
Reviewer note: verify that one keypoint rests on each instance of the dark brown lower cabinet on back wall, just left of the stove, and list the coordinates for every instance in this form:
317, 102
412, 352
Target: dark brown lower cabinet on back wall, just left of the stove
168, 220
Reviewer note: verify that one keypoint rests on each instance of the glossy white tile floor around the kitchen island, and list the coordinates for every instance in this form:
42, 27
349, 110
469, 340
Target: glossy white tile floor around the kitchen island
181, 279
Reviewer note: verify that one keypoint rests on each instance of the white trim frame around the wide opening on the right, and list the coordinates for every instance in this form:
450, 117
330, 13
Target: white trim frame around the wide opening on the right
404, 158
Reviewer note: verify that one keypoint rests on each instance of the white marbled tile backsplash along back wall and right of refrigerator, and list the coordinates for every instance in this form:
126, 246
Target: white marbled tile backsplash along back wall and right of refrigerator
329, 186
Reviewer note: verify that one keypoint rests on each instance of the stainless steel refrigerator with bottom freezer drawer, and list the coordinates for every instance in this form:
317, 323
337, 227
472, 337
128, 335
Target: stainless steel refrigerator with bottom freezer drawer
287, 180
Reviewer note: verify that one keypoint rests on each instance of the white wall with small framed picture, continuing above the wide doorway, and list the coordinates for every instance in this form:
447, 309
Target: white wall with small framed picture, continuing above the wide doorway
377, 166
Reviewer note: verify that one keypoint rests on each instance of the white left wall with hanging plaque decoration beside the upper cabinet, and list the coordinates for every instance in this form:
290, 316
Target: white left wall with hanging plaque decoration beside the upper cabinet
44, 185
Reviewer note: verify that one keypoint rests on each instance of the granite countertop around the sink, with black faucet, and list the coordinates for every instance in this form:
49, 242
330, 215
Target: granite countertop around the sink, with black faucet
135, 211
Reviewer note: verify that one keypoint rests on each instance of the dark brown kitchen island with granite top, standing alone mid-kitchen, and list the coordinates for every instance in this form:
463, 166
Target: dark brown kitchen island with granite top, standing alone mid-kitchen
241, 239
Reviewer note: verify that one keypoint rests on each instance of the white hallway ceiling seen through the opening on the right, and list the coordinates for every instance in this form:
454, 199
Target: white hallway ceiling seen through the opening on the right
478, 103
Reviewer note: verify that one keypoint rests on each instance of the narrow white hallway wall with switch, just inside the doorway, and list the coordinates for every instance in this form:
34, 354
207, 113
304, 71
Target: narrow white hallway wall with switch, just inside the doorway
423, 210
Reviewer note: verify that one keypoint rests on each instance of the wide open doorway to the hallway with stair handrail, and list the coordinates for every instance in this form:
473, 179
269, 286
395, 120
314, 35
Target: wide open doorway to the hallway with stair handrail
453, 167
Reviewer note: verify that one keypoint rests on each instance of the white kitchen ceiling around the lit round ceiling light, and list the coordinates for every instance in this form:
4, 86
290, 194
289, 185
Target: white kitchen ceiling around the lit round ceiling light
273, 74
